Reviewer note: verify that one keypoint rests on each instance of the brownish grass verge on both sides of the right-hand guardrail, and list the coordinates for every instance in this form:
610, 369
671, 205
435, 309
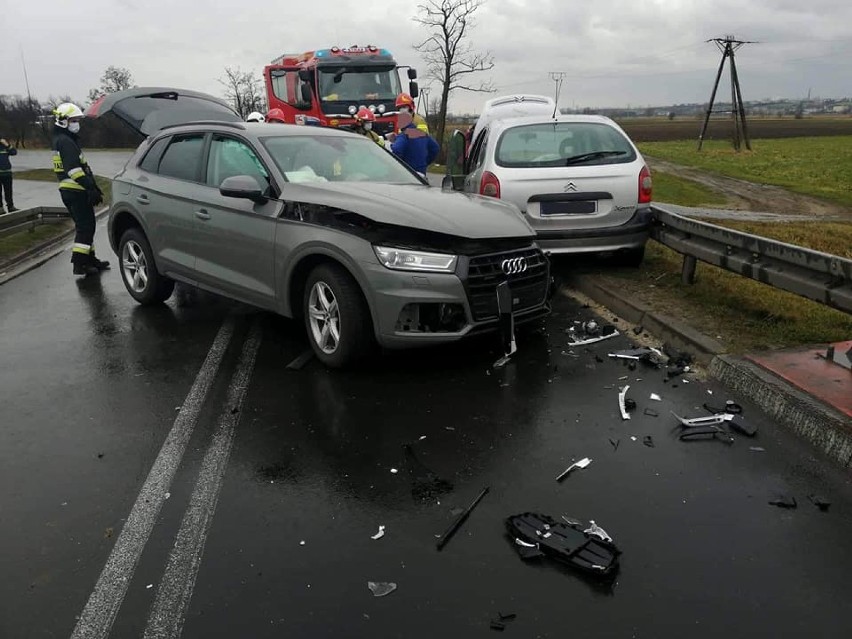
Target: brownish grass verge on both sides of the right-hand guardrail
743, 314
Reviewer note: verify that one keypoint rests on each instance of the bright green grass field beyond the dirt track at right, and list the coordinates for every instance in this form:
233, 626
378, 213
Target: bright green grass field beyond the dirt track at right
819, 166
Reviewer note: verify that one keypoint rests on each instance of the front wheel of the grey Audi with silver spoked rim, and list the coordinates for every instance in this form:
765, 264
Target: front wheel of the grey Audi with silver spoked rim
333, 299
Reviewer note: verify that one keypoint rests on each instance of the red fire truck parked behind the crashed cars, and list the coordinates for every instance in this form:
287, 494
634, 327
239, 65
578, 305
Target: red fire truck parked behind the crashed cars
328, 86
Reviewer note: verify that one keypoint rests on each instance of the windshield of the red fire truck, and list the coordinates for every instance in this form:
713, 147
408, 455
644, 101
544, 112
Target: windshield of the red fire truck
358, 84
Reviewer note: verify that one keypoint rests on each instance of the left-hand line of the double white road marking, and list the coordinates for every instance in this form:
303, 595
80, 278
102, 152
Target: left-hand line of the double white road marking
96, 620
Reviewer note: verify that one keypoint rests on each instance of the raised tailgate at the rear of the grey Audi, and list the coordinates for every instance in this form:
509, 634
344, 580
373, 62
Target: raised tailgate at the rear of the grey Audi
149, 109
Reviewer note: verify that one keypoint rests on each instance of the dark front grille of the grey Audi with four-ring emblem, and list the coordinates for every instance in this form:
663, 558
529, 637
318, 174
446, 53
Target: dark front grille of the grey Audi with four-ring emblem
529, 289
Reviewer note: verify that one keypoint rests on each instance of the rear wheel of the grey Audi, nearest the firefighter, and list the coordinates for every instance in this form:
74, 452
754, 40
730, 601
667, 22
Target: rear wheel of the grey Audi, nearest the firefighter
139, 272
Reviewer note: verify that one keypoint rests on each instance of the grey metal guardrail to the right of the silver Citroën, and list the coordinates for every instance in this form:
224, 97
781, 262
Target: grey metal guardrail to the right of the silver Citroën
812, 274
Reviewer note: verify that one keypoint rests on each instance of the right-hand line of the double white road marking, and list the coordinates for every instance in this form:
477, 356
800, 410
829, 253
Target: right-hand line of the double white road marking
168, 612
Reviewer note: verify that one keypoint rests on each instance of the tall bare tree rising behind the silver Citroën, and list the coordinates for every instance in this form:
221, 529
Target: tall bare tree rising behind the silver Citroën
449, 55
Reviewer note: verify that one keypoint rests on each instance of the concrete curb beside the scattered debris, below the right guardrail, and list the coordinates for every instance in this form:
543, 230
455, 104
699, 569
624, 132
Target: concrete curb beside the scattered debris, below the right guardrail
825, 428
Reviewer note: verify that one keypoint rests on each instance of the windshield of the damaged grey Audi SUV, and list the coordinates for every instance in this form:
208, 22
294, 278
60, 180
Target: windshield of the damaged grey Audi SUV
343, 158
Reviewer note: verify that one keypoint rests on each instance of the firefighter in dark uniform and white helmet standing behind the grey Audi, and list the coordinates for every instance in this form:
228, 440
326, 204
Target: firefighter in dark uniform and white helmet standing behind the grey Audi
77, 187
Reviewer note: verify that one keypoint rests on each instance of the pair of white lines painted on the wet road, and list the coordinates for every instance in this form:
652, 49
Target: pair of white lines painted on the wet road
175, 590
